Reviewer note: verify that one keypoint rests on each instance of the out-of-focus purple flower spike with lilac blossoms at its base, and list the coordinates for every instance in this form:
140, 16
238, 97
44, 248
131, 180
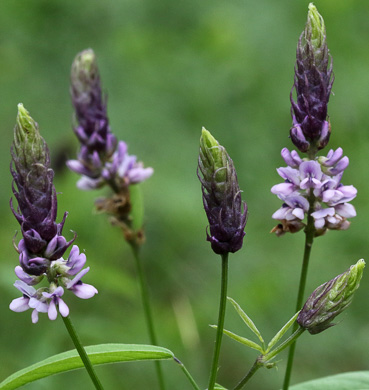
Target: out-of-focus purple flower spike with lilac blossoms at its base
101, 159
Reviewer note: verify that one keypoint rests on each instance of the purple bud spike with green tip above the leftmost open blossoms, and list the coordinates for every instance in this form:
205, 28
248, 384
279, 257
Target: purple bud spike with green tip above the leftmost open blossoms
33, 183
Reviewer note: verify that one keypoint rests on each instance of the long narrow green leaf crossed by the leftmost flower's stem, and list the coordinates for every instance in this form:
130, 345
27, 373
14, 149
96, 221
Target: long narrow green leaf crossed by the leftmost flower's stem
70, 360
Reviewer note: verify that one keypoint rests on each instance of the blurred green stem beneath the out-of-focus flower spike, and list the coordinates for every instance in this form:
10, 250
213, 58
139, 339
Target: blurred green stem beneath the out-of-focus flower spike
147, 310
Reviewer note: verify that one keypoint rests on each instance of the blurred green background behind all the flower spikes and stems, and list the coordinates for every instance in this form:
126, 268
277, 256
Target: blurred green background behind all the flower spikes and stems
169, 68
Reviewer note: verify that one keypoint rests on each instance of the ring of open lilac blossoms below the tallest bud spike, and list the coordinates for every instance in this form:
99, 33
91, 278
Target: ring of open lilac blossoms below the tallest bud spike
314, 186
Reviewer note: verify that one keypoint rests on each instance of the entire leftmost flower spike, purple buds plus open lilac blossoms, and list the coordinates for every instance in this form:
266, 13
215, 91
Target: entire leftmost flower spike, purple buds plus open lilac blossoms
43, 245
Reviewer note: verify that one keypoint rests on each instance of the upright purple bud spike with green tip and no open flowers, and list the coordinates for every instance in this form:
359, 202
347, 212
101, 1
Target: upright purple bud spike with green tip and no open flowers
221, 196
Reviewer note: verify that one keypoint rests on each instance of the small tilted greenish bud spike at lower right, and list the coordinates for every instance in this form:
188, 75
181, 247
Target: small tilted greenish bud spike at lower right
330, 299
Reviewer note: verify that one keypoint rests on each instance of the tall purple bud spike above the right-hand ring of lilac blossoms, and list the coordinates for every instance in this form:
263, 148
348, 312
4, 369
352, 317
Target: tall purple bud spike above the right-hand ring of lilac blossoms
313, 84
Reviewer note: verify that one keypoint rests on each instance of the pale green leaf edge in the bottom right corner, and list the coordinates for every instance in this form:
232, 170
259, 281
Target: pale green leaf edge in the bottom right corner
358, 380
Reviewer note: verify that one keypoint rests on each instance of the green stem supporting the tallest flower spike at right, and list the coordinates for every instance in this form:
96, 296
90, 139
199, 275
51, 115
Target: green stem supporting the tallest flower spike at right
309, 238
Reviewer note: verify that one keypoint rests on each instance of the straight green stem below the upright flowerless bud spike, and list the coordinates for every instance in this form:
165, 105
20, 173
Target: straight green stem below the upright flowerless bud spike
222, 308
